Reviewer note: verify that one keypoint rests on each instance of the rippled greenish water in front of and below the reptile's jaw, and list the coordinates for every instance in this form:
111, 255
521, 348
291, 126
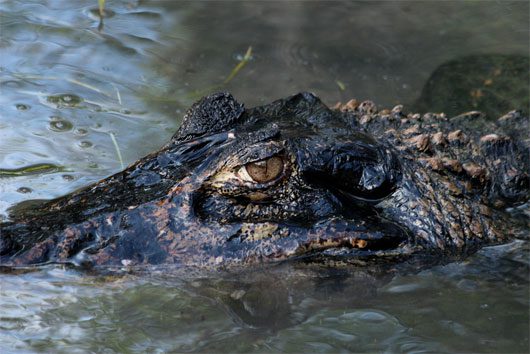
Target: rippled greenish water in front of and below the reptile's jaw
477, 306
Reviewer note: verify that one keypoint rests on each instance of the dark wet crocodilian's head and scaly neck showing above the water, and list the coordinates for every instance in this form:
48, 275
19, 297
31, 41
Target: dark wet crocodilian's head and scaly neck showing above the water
293, 179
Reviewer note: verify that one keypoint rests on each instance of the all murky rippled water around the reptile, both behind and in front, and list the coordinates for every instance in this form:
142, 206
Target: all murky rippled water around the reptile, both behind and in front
70, 84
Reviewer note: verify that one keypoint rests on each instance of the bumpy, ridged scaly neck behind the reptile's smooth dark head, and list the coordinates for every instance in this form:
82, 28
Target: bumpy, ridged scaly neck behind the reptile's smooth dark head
461, 171
